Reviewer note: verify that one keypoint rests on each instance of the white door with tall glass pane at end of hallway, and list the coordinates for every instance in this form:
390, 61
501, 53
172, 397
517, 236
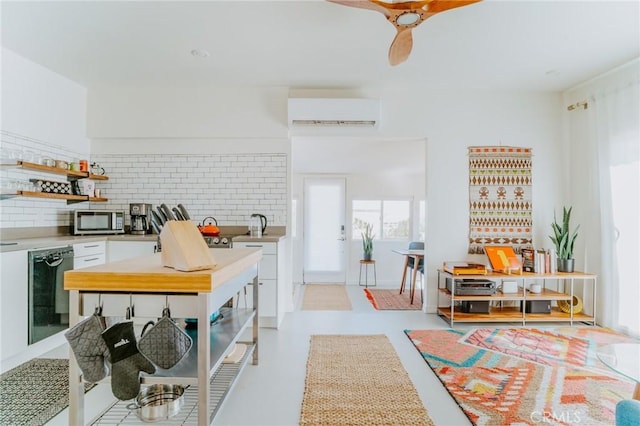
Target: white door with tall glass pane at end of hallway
324, 230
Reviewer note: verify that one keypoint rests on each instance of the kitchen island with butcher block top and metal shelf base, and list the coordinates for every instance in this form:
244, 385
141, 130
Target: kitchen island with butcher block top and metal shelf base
143, 287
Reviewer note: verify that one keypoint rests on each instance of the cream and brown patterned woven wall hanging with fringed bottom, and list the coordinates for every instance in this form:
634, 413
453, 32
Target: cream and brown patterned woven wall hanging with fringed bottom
499, 197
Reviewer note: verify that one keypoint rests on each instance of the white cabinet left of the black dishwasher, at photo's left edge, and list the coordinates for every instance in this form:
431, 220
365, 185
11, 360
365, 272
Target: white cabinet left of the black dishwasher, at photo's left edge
13, 301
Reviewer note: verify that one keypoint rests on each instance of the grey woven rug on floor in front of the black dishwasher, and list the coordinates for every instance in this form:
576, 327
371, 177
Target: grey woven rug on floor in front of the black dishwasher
34, 392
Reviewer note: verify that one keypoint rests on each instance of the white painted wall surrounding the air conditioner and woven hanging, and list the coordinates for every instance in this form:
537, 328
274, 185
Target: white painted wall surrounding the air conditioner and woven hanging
450, 122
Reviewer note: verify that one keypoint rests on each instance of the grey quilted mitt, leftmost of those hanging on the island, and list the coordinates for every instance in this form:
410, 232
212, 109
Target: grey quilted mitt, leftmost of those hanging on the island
85, 340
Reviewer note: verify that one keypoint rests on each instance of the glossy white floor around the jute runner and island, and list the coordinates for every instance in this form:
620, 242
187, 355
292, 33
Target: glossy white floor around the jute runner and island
271, 392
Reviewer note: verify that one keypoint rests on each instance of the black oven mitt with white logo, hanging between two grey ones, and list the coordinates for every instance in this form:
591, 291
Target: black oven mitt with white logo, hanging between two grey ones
126, 361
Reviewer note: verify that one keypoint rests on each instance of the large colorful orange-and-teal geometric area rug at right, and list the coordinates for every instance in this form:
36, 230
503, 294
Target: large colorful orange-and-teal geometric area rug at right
527, 376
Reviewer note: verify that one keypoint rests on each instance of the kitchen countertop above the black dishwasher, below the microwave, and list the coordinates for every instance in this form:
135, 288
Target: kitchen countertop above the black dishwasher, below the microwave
64, 240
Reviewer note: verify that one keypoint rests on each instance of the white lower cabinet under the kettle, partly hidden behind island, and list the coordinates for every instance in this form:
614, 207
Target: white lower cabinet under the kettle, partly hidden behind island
268, 277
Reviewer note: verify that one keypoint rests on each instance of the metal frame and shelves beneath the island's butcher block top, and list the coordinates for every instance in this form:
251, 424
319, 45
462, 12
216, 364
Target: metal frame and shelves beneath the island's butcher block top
202, 365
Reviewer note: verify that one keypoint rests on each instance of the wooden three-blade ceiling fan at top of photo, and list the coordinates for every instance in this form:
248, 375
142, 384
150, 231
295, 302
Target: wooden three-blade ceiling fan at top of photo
405, 16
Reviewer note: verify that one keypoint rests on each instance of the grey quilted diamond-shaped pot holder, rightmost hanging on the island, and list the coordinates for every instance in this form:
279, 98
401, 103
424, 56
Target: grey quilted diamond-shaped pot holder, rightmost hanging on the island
166, 343
